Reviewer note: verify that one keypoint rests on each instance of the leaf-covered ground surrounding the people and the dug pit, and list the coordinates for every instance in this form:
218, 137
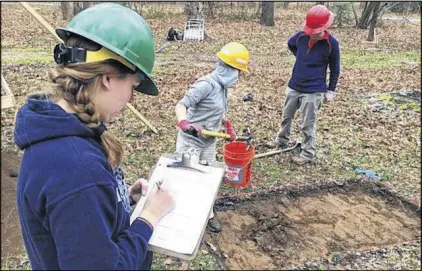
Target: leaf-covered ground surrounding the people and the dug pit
349, 134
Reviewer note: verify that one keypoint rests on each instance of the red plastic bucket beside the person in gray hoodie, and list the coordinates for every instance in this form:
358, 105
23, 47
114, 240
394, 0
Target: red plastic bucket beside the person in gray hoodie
238, 160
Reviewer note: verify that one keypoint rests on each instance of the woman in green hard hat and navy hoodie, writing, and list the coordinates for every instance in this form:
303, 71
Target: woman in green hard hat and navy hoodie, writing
73, 202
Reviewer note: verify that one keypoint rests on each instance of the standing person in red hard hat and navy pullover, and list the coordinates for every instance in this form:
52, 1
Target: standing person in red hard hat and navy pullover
315, 49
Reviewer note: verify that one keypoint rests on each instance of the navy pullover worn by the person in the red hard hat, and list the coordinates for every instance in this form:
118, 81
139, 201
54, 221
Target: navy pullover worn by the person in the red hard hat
310, 69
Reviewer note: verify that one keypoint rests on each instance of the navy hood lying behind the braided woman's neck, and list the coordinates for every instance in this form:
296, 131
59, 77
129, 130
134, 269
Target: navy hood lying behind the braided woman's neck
40, 119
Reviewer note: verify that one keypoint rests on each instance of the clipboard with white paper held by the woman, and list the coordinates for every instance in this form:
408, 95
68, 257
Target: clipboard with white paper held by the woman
180, 232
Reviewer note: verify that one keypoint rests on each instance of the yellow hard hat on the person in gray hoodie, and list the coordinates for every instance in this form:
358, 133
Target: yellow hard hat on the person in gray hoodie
236, 55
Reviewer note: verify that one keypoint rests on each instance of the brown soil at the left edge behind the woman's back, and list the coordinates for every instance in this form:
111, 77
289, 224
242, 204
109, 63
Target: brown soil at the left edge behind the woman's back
11, 243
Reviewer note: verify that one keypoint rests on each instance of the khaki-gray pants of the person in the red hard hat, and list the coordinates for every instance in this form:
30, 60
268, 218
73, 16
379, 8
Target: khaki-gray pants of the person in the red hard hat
309, 103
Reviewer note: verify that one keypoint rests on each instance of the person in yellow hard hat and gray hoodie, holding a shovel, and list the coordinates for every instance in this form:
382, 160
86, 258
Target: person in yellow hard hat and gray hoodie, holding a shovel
205, 106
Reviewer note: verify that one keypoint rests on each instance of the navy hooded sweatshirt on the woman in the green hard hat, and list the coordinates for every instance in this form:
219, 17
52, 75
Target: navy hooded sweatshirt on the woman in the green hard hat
73, 211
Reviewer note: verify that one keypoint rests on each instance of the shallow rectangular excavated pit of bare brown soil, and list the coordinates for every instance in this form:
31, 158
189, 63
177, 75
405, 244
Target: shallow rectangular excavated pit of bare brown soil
282, 230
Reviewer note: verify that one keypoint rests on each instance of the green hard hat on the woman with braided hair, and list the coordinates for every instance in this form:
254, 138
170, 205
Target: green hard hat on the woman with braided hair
120, 30
